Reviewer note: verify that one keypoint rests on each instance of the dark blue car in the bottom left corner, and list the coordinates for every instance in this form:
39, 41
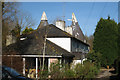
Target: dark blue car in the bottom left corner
11, 74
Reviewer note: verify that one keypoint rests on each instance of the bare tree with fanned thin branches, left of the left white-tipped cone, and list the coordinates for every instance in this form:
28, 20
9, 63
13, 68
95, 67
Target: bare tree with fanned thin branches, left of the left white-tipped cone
21, 22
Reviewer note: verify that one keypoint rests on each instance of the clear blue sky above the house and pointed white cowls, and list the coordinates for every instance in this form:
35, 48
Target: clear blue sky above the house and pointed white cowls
87, 13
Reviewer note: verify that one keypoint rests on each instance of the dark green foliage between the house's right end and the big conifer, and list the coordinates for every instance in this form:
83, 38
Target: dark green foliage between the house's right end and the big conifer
94, 58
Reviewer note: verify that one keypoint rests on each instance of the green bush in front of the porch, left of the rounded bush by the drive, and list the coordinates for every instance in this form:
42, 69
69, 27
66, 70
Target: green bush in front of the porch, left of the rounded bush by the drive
59, 72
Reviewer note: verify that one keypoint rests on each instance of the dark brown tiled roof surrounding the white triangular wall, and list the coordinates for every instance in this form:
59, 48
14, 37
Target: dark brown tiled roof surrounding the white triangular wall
33, 44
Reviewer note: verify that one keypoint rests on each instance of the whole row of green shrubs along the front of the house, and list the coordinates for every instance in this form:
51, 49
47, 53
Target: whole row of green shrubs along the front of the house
81, 71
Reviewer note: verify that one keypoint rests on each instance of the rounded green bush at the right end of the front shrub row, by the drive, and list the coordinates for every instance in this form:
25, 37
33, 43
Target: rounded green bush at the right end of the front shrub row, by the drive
87, 70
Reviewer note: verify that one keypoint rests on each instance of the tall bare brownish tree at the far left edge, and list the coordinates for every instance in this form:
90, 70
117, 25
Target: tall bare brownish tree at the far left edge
9, 9
